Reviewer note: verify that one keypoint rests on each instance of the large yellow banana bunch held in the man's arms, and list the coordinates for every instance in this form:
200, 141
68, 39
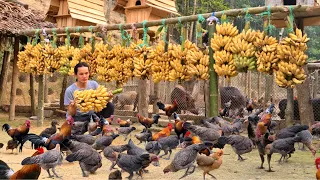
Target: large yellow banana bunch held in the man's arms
95, 100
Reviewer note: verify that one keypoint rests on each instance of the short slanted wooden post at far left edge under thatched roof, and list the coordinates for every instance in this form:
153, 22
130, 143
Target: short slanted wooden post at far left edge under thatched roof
4, 71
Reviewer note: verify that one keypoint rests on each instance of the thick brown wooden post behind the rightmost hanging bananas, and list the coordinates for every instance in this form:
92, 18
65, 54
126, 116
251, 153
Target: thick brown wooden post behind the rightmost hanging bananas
303, 91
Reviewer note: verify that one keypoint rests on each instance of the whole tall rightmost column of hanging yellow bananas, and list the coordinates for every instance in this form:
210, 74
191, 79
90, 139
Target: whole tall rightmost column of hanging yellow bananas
291, 53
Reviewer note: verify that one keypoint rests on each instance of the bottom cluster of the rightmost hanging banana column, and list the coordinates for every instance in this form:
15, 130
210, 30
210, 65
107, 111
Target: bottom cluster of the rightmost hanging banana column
289, 75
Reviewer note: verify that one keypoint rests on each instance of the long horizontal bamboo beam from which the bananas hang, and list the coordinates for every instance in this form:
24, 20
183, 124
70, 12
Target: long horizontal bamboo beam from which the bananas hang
232, 12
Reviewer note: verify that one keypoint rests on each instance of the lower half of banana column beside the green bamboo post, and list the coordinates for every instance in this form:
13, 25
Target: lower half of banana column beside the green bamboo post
224, 64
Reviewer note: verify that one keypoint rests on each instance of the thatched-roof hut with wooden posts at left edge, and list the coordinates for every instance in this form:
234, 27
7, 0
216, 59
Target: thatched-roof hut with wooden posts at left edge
15, 16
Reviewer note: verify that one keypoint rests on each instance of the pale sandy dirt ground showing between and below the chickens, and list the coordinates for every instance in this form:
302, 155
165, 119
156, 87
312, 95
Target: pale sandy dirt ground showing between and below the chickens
299, 166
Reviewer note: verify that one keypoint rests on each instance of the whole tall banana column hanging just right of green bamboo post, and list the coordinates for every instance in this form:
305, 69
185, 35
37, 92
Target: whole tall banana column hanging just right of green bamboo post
221, 44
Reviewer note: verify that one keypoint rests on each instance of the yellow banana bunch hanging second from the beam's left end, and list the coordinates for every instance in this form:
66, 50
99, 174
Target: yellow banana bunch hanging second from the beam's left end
51, 58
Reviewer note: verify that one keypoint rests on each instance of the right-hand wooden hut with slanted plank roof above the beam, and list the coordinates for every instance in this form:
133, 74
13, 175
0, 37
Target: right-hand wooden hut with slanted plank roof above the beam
140, 10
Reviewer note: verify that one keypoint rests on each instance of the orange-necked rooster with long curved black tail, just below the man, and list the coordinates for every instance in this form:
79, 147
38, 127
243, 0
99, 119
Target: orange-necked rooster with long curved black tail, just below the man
51, 142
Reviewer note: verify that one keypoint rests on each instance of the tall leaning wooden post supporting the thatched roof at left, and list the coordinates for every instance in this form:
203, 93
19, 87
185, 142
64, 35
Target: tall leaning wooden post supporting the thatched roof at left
15, 73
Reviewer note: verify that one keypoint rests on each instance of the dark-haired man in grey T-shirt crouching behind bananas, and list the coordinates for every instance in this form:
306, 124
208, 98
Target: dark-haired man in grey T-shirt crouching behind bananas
81, 72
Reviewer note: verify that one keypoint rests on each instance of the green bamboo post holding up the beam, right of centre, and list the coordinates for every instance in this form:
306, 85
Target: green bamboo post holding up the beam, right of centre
213, 81
